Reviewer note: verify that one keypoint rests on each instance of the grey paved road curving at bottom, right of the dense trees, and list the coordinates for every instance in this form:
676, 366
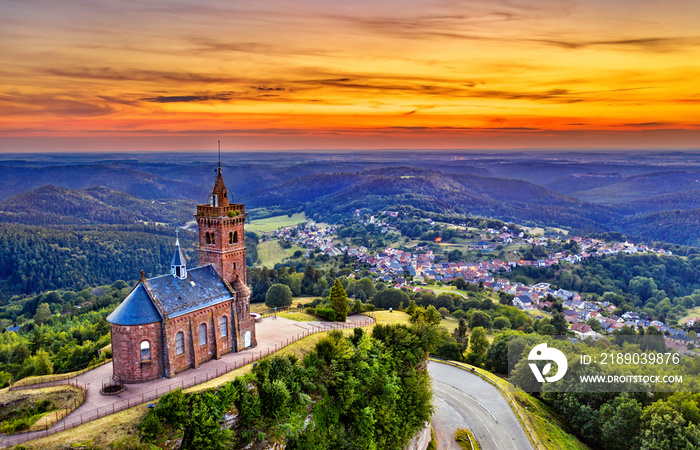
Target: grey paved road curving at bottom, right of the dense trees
464, 400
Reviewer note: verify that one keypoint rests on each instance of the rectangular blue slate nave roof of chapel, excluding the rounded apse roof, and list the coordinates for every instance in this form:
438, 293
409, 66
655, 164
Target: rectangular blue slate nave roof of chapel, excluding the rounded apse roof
203, 287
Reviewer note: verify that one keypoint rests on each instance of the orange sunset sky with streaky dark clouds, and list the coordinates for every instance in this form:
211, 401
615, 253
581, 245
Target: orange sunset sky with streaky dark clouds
95, 75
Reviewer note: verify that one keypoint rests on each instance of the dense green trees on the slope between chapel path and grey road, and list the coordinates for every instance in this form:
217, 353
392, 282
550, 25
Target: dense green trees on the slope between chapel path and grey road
362, 392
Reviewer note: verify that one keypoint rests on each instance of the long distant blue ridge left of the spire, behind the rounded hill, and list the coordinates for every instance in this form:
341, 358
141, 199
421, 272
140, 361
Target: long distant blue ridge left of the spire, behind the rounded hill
15, 180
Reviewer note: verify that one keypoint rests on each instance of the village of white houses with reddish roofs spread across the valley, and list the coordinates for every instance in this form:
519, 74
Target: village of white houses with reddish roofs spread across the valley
420, 267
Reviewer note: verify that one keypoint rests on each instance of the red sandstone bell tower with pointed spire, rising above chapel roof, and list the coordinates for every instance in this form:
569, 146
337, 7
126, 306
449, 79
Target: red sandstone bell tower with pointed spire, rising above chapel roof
221, 240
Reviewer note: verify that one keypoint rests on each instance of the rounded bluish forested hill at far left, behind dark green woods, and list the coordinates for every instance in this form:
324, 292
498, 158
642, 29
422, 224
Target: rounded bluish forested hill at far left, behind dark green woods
55, 206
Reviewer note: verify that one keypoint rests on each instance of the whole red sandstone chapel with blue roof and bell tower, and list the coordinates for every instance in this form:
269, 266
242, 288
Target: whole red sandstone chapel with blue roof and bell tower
173, 322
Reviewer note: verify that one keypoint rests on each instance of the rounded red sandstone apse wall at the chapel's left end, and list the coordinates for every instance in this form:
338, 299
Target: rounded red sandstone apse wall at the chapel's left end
126, 351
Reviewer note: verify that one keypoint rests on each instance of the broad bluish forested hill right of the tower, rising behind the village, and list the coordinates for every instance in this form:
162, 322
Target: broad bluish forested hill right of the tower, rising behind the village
506, 199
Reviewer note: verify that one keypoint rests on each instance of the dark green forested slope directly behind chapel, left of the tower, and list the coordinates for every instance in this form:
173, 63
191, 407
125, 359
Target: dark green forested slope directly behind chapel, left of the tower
35, 259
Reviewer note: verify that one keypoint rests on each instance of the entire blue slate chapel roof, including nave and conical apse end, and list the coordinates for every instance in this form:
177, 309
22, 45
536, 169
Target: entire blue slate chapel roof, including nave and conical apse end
202, 288
